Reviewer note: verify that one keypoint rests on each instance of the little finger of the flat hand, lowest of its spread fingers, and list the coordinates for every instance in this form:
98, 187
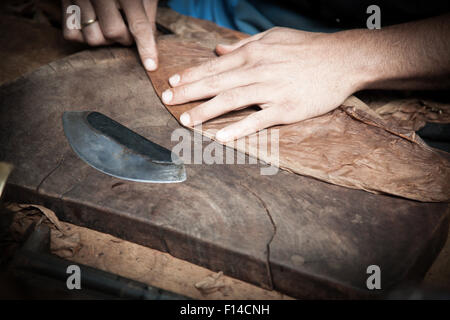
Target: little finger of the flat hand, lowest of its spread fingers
253, 123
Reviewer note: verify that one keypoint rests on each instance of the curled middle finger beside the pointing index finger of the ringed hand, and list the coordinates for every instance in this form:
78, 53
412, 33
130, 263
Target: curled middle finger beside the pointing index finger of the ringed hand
111, 23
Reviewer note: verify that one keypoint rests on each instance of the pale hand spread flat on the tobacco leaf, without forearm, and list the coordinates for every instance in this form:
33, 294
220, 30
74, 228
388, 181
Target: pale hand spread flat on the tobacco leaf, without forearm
292, 75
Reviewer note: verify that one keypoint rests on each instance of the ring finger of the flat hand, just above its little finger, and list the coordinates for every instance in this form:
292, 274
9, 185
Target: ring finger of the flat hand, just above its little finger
226, 101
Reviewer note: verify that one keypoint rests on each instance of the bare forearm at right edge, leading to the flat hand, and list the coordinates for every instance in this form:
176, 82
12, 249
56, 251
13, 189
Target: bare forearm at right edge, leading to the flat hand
412, 56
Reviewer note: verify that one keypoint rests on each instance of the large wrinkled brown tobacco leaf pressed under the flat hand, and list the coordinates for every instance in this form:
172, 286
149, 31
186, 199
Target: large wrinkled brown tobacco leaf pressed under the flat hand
351, 146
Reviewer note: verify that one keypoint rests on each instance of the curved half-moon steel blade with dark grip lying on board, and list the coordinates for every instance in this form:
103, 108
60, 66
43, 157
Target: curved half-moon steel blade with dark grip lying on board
114, 149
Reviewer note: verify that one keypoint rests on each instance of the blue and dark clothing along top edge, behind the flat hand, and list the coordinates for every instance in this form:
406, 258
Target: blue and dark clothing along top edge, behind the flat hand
254, 16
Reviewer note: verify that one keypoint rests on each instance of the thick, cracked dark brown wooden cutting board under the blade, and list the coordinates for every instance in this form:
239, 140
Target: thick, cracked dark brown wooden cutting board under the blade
298, 235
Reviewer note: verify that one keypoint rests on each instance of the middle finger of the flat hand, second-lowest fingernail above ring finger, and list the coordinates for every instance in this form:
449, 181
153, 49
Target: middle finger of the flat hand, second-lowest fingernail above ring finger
208, 87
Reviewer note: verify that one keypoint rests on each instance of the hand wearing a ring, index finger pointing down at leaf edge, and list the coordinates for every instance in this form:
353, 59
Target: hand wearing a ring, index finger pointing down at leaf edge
110, 27
